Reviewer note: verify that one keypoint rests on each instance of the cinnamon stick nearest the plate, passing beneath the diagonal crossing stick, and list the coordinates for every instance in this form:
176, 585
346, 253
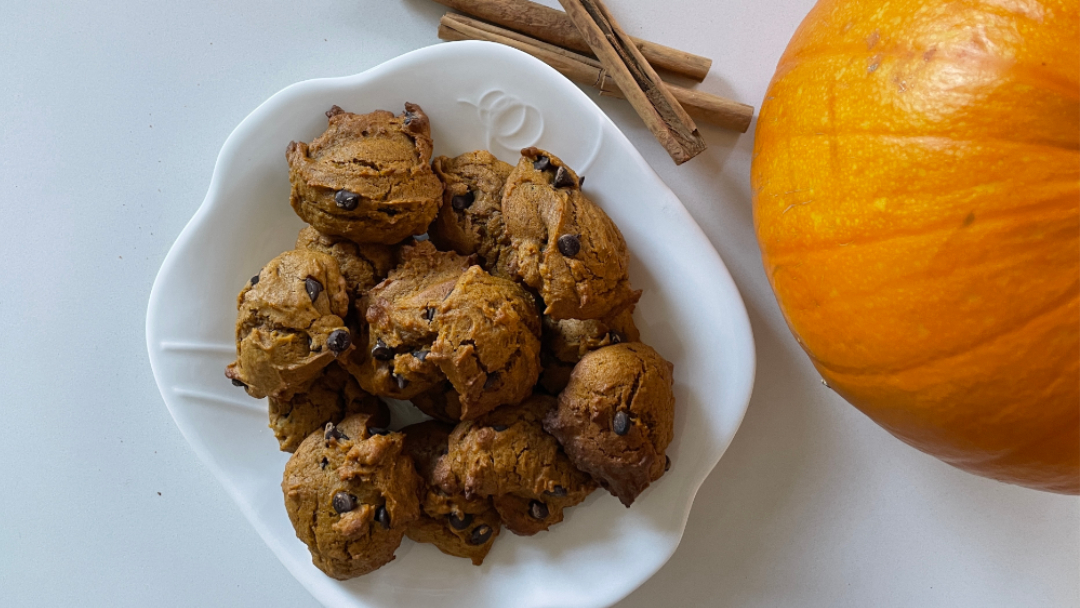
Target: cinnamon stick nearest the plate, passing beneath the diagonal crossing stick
587, 71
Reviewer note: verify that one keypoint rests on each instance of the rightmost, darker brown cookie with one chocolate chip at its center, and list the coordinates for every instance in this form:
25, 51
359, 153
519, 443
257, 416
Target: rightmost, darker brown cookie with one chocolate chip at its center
616, 417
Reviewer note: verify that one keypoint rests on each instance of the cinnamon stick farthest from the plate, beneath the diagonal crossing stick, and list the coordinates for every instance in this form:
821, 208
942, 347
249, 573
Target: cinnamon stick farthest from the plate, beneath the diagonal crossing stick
553, 26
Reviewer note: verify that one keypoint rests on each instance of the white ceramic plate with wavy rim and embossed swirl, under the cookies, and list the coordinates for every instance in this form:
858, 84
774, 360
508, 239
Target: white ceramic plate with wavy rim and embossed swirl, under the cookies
478, 96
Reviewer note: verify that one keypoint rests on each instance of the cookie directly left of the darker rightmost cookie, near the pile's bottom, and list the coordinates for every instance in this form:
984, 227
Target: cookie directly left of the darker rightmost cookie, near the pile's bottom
508, 456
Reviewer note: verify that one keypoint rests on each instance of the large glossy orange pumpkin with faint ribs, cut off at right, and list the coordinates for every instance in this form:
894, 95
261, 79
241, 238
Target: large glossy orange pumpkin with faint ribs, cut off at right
916, 183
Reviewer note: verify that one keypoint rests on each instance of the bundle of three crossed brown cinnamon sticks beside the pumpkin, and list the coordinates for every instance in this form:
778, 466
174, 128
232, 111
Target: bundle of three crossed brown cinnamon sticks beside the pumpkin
620, 65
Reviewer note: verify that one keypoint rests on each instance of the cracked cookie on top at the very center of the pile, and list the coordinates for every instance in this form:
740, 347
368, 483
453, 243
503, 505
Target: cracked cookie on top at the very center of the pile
489, 343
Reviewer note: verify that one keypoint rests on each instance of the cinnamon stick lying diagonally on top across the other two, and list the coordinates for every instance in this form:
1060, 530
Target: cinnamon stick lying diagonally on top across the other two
663, 114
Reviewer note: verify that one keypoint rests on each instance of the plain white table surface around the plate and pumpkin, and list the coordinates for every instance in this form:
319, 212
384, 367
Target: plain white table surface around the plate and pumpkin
112, 115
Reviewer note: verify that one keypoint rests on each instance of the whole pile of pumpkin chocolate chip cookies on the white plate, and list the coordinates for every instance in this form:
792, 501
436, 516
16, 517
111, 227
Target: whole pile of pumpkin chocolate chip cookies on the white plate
511, 326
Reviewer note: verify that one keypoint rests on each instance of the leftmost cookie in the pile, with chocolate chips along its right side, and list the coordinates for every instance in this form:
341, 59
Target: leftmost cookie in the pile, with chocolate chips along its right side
290, 325
